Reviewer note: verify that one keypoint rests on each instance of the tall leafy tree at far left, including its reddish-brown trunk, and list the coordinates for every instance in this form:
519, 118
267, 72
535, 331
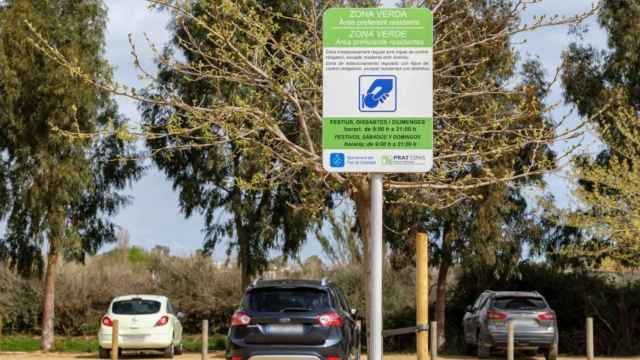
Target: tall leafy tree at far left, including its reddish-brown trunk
59, 191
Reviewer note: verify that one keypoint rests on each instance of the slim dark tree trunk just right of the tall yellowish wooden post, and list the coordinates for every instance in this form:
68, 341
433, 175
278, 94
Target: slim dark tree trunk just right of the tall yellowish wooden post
441, 289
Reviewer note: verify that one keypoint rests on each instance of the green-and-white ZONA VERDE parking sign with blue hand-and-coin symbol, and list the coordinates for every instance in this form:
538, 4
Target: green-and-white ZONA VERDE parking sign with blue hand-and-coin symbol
378, 90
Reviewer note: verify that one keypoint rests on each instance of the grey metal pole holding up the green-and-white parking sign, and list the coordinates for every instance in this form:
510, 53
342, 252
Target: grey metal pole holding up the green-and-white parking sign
375, 263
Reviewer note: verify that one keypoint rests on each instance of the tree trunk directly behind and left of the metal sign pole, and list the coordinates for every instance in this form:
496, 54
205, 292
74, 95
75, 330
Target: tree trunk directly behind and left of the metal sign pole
362, 199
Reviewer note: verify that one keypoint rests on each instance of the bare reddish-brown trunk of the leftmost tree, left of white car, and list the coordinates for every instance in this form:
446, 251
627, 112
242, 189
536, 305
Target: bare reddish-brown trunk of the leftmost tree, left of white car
48, 312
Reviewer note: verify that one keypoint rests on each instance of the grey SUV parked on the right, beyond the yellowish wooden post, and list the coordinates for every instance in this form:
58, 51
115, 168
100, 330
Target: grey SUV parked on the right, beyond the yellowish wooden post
535, 326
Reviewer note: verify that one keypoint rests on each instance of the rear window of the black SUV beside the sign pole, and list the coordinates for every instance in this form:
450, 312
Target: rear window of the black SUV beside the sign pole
287, 300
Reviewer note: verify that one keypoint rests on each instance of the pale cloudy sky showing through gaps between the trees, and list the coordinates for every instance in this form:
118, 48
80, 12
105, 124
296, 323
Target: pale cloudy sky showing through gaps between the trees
154, 217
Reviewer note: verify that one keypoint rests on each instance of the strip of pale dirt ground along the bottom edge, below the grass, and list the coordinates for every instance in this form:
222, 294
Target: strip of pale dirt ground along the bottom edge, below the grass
220, 355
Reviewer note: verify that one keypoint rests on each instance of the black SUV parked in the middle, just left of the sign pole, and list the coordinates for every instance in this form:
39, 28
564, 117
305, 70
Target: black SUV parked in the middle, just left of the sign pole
294, 319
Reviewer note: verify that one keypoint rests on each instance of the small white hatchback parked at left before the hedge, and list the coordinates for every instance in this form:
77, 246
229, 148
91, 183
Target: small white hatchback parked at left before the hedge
145, 322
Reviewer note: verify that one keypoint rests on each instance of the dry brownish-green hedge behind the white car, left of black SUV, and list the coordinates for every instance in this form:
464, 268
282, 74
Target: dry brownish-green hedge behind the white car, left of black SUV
83, 292
